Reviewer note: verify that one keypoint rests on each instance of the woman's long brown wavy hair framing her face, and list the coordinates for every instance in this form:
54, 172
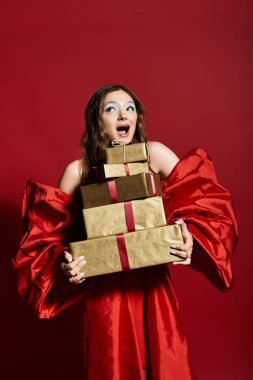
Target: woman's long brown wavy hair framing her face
95, 140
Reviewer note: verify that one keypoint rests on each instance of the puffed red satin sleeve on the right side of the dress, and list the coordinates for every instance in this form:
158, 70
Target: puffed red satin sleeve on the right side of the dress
193, 194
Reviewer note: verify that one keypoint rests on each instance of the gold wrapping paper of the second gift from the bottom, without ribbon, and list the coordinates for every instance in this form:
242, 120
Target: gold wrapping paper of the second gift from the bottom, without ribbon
111, 219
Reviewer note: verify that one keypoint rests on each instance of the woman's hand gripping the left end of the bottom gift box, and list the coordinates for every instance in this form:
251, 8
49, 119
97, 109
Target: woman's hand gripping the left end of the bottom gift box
72, 268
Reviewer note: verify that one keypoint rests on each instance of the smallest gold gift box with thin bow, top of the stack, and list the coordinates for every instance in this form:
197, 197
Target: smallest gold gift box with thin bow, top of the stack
127, 153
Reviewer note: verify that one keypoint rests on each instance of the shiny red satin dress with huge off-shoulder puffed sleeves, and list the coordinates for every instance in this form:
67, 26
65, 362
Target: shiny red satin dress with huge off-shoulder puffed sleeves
133, 314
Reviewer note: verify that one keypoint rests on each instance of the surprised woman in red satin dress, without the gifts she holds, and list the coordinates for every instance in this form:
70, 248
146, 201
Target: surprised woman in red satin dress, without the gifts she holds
131, 319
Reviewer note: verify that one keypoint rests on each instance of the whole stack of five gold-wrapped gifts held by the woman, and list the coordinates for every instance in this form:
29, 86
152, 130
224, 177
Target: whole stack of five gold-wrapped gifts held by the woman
124, 216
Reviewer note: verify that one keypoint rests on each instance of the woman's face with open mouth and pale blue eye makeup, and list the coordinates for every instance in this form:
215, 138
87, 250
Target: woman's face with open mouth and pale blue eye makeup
119, 116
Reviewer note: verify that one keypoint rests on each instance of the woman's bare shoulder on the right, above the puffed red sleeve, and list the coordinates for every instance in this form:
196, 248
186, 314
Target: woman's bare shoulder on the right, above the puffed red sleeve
162, 159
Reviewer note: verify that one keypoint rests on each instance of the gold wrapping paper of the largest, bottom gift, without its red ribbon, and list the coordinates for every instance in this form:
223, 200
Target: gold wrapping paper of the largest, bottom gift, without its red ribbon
144, 248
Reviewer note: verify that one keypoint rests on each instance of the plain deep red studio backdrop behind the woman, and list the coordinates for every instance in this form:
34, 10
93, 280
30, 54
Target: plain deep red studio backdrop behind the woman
190, 62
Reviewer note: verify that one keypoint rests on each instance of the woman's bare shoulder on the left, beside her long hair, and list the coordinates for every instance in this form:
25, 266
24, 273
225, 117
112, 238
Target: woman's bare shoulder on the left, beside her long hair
71, 177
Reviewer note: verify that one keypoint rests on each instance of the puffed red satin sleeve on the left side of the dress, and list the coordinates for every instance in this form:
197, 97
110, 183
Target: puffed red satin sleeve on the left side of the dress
49, 217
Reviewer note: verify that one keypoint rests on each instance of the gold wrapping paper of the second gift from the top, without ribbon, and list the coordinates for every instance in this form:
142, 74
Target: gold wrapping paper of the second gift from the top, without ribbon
118, 170
